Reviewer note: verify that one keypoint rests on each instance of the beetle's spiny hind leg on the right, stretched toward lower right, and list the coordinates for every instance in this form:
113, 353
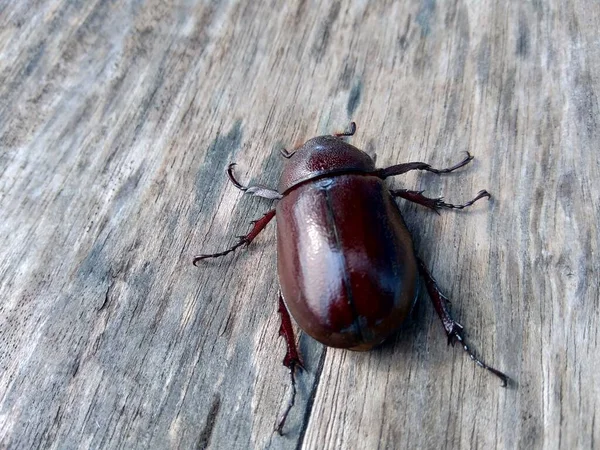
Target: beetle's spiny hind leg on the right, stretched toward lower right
454, 330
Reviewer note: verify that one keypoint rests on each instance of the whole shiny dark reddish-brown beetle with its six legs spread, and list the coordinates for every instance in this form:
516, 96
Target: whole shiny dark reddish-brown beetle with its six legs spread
345, 258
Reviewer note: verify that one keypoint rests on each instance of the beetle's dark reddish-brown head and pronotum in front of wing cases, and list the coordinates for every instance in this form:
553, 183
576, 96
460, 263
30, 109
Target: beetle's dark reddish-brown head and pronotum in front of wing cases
323, 155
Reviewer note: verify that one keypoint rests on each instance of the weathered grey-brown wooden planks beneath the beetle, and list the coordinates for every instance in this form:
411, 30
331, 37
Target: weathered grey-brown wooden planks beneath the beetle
117, 122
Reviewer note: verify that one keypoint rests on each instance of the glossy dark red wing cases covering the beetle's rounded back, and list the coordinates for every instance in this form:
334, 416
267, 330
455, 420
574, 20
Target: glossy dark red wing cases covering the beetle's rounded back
345, 260
